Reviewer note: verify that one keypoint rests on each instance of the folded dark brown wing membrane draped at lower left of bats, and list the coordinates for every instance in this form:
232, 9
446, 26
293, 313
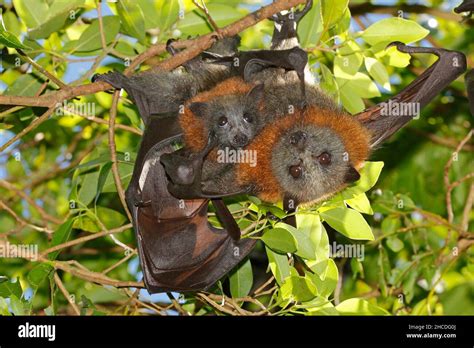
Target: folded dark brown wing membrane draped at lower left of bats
179, 250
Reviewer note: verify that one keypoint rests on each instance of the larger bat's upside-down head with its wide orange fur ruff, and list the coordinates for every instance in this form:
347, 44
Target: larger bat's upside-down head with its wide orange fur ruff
306, 156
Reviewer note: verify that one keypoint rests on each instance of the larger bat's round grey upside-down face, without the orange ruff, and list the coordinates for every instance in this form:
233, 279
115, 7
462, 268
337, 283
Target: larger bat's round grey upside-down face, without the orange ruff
311, 162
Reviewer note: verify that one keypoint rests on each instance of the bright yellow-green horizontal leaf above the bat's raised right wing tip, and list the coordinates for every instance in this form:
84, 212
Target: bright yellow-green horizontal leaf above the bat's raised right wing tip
394, 29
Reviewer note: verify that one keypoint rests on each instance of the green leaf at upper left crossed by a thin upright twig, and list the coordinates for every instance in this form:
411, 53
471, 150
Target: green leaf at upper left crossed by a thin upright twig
90, 39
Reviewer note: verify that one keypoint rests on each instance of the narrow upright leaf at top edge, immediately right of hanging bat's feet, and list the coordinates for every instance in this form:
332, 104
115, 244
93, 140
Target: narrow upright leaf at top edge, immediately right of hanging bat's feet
310, 27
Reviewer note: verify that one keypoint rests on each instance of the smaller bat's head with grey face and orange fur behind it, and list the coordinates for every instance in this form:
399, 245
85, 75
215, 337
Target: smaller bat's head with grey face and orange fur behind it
231, 110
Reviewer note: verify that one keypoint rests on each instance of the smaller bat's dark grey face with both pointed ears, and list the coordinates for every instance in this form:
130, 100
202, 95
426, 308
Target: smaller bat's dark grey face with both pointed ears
234, 119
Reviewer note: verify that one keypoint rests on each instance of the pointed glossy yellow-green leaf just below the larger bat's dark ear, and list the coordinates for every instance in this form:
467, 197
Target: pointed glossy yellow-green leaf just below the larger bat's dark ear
348, 222
